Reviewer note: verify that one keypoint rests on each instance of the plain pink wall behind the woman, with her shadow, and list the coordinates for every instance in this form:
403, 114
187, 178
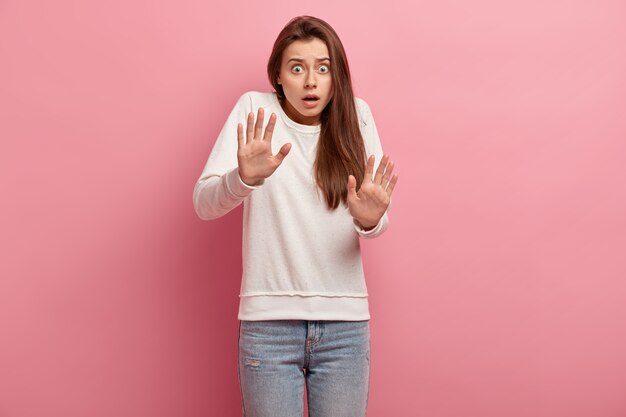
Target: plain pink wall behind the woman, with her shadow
497, 291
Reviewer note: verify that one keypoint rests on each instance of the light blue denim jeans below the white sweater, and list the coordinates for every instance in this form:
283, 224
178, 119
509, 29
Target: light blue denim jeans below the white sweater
277, 357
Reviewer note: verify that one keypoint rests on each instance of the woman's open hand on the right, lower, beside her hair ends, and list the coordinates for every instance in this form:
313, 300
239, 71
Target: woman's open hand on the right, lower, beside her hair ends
368, 205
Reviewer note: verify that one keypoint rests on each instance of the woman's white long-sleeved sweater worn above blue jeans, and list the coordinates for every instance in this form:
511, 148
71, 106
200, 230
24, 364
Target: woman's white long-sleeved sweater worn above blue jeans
301, 260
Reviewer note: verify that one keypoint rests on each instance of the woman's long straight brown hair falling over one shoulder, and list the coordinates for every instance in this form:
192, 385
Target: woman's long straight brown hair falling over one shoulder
340, 150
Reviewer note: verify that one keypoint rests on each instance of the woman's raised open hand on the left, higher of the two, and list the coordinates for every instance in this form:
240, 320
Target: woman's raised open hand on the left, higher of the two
254, 155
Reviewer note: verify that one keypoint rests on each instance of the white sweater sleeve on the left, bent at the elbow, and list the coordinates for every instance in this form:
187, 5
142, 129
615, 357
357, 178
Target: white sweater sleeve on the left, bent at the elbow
220, 188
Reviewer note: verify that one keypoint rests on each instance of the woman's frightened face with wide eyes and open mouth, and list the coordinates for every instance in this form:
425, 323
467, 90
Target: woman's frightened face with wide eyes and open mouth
305, 71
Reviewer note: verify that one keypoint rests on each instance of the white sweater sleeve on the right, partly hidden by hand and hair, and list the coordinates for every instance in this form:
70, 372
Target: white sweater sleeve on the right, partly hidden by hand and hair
372, 146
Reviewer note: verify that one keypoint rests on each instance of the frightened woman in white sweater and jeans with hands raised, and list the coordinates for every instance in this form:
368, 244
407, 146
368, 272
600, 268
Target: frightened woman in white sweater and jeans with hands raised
309, 192
